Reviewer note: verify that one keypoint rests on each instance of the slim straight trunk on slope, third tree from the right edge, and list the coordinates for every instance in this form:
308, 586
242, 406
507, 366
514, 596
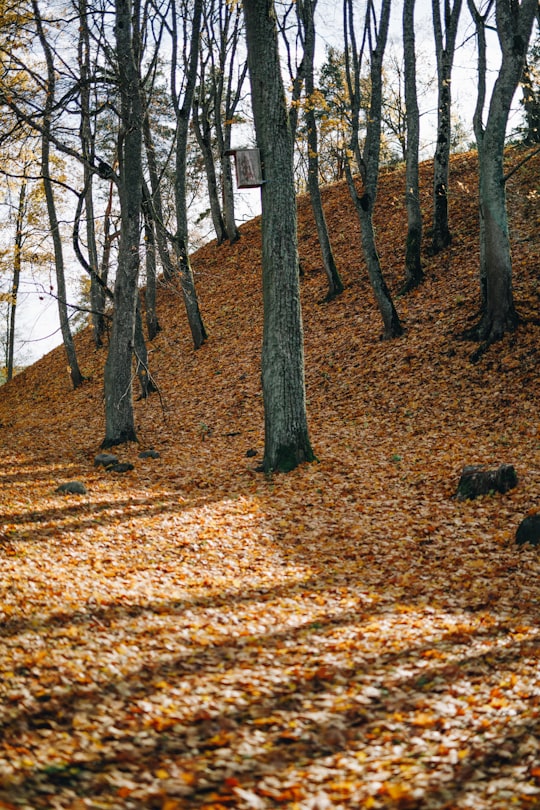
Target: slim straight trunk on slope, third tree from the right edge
414, 275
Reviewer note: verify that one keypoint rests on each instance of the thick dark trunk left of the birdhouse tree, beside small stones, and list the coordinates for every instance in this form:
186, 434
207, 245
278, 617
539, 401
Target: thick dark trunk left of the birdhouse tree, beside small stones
119, 416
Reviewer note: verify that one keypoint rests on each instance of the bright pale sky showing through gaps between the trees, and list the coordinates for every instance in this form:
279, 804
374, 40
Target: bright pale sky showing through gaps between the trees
37, 325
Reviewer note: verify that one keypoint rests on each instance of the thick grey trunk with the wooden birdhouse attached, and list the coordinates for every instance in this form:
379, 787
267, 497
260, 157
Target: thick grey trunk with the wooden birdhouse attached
286, 431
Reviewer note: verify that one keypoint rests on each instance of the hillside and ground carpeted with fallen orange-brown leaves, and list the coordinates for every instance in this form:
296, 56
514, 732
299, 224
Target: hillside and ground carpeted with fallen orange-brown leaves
195, 634
